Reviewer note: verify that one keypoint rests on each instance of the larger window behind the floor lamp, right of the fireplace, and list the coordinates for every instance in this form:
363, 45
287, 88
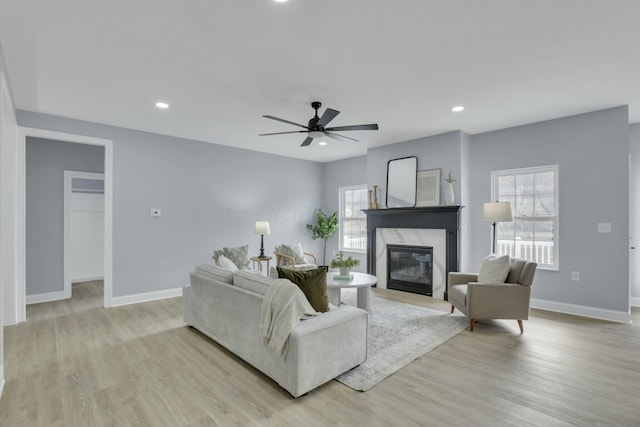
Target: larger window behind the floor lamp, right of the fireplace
533, 234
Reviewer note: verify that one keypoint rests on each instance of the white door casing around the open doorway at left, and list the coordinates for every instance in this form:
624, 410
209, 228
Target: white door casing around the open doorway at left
23, 133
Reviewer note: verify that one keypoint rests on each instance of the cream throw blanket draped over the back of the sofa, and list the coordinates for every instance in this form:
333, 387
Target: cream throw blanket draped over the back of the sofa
283, 306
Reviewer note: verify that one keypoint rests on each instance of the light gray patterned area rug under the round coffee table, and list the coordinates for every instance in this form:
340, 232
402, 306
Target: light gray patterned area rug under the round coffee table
398, 334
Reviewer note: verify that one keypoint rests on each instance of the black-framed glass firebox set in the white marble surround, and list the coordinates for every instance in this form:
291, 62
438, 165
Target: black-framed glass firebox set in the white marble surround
410, 268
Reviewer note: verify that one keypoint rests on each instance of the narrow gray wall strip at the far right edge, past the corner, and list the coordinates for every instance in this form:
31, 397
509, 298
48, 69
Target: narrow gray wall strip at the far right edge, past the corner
634, 199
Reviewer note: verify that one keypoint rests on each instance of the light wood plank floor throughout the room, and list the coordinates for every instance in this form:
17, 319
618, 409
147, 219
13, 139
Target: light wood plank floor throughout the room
73, 364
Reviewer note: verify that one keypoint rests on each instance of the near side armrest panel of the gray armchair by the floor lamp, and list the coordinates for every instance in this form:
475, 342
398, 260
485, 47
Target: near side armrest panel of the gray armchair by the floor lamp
498, 301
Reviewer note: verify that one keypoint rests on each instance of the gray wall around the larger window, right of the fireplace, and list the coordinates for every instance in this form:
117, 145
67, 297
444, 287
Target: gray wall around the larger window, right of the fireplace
592, 153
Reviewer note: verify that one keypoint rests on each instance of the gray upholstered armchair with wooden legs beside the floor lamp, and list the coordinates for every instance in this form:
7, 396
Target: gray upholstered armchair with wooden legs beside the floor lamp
485, 296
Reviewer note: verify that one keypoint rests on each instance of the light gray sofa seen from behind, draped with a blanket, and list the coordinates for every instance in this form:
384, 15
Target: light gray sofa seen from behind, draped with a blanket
227, 307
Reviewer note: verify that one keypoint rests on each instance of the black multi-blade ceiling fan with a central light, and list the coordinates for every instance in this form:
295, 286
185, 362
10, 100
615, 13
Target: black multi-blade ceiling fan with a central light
316, 127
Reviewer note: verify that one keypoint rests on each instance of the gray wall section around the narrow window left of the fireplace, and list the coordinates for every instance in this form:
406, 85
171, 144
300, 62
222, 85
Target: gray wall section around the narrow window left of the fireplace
339, 174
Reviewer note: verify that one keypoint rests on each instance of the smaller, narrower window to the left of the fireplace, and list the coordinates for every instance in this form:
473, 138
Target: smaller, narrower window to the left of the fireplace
353, 222
